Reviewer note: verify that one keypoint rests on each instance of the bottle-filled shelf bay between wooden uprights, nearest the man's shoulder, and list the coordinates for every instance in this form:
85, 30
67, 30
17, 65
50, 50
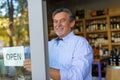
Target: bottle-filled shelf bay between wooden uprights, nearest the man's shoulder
96, 30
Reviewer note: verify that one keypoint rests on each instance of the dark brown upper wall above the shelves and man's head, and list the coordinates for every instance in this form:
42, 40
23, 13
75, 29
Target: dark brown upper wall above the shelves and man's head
85, 4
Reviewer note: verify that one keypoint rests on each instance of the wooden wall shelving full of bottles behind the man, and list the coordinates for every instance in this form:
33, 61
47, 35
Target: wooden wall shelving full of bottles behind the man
104, 30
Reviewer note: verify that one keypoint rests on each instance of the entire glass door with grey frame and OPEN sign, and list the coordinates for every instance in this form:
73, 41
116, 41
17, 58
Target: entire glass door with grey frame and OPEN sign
23, 35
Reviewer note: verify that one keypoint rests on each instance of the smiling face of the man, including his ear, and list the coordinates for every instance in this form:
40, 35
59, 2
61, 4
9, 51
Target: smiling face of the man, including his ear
62, 24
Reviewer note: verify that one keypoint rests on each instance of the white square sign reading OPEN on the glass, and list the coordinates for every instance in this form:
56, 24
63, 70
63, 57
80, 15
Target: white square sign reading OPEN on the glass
13, 56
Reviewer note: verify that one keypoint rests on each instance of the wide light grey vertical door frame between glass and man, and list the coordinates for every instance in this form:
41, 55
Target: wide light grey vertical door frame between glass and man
38, 39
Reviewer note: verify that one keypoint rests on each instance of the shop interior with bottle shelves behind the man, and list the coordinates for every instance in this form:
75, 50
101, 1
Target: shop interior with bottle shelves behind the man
99, 22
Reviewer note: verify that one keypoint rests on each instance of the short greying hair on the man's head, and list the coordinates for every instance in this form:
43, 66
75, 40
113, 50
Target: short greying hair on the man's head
64, 10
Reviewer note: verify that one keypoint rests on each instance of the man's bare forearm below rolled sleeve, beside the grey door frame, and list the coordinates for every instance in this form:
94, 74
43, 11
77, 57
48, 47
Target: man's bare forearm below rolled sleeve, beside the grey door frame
55, 74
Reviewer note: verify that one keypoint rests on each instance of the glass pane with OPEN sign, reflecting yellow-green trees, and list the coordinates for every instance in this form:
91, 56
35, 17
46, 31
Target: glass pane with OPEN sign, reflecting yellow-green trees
14, 34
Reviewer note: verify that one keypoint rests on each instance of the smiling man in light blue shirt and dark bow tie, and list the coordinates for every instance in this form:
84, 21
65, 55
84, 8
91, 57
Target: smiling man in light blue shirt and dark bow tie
70, 56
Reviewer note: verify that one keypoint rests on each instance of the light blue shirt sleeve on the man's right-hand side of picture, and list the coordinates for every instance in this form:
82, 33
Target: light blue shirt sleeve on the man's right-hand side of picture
81, 63
